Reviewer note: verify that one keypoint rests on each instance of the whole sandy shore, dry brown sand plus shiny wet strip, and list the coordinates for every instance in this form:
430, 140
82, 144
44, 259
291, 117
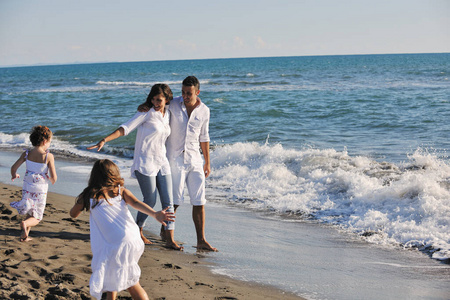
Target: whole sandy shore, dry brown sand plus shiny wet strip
261, 256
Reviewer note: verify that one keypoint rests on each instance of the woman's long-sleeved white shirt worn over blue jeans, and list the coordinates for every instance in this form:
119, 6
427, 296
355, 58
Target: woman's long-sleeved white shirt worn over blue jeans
149, 149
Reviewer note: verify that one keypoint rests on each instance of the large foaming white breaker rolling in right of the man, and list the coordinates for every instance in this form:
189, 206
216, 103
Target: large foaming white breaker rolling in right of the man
406, 204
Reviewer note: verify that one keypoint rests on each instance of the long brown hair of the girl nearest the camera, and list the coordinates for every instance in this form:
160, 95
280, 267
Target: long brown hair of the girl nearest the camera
105, 177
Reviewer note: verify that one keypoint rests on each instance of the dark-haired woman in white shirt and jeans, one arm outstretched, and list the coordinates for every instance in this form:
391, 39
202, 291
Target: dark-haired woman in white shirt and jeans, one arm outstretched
150, 165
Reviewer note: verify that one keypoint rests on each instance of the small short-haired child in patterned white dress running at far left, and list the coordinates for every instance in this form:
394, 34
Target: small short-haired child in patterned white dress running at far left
39, 162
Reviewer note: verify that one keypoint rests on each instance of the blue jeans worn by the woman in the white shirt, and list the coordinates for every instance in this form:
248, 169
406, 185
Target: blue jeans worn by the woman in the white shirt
150, 187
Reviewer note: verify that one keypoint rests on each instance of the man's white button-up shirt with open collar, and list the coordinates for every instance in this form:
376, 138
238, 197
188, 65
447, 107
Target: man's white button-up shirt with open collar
187, 132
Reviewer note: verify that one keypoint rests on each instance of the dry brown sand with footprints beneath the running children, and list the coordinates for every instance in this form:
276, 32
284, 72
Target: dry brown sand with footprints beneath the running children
56, 263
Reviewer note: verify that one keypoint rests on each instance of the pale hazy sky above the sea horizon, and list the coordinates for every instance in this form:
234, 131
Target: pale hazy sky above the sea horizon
83, 31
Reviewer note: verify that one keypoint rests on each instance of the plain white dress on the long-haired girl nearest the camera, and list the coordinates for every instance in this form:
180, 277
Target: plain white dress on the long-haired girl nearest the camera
116, 247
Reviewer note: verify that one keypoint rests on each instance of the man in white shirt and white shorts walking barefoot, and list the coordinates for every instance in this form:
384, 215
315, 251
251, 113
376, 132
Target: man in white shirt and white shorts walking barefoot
189, 124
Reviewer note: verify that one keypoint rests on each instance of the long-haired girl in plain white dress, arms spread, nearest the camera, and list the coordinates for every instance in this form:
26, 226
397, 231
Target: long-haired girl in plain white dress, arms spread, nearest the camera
115, 240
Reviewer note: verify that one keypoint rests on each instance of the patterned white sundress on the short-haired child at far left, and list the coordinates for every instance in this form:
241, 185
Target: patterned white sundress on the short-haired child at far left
34, 190
